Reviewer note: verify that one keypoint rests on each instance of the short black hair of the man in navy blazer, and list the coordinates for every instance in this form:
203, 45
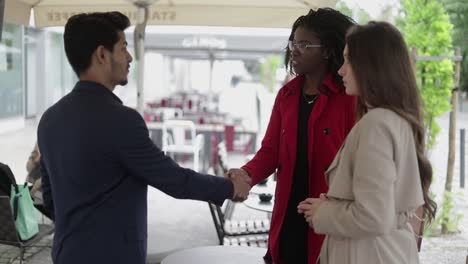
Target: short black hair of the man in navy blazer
84, 33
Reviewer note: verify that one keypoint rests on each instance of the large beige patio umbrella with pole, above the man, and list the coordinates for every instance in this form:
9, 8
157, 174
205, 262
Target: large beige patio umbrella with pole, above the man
236, 13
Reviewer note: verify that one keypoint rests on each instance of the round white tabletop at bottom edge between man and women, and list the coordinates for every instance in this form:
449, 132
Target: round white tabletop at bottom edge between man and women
217, 255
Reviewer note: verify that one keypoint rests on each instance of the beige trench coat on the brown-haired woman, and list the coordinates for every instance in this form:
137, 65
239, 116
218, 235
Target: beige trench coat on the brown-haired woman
374, 186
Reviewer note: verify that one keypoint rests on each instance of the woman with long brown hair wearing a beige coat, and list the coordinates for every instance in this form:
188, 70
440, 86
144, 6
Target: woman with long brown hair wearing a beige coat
380, 176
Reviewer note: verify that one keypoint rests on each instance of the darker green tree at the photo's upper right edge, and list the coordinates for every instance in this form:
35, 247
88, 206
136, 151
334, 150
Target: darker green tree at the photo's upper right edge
458, 11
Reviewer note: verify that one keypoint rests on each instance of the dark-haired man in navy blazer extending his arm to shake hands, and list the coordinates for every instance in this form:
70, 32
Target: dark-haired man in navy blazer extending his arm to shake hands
98, 159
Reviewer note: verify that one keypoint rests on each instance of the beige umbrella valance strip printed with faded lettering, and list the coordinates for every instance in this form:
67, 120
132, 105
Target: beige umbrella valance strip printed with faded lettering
178, 15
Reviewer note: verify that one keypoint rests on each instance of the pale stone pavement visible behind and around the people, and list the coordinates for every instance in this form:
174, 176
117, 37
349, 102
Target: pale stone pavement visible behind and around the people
178, 224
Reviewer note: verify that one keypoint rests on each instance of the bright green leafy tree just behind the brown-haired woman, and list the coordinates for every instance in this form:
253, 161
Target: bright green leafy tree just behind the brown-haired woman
426, 26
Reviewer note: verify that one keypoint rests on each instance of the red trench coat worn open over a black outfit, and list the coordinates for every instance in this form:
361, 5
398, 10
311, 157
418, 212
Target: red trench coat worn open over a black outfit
331, 119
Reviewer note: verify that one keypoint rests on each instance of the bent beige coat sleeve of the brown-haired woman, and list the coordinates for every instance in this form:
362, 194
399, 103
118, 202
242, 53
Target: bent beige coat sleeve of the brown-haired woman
372, 212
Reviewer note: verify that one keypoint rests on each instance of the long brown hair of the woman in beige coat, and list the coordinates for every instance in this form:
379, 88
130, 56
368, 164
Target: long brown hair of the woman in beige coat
386, 79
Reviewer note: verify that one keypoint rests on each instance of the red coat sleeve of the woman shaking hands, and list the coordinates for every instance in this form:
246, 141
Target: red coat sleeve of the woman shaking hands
265, 160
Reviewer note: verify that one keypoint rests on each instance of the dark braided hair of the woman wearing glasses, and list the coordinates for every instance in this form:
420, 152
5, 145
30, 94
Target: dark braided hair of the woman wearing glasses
330, 26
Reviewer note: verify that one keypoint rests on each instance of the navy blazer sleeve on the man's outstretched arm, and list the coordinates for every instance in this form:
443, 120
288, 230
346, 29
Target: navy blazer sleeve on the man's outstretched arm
142, 159
